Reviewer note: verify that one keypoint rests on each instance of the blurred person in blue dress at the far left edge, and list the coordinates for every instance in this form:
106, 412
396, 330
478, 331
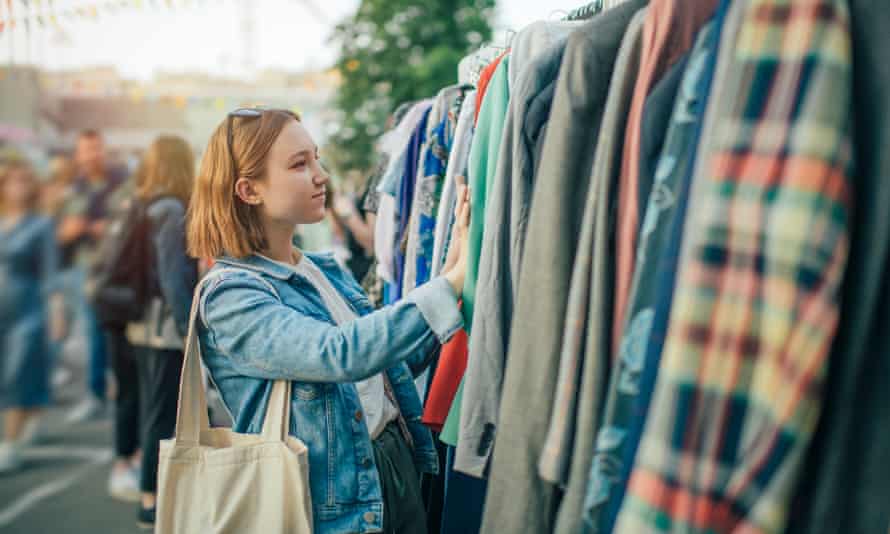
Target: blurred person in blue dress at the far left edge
30, 311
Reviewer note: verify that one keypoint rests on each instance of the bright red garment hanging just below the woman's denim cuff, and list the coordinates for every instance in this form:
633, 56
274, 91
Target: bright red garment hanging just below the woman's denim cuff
450, 371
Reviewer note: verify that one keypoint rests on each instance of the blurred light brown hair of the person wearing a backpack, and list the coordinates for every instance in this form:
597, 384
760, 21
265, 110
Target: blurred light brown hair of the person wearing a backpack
168, 168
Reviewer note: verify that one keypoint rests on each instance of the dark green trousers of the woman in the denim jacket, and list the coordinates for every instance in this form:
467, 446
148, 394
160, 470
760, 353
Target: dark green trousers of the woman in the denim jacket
403, 511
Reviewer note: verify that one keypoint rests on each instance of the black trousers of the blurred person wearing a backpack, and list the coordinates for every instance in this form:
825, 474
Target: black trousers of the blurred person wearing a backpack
159, 374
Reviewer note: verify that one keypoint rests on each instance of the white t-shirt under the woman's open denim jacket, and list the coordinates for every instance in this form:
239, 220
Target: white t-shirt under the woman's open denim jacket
379, 410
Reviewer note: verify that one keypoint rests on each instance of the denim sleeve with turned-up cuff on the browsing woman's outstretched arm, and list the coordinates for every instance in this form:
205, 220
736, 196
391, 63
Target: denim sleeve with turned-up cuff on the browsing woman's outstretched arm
267, 339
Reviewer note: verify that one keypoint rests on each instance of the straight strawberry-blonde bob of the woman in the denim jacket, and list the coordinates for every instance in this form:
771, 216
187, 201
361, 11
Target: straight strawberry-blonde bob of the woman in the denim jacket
219, 222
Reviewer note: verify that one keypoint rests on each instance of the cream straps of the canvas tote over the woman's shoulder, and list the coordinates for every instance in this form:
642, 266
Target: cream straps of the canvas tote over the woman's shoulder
191, 414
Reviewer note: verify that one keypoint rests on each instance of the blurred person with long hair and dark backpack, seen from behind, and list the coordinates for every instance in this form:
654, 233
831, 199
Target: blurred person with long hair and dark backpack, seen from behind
161, 278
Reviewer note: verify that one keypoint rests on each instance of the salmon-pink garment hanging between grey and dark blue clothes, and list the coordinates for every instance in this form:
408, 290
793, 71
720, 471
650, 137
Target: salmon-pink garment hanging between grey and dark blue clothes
668, 32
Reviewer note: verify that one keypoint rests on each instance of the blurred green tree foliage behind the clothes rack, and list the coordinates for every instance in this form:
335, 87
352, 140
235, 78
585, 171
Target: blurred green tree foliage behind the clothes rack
395, 51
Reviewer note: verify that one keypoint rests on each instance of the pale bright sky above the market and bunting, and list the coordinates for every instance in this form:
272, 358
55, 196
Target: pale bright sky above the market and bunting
206, 35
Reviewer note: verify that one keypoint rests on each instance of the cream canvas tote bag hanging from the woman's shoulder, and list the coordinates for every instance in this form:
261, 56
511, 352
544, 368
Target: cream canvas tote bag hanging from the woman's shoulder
215, 481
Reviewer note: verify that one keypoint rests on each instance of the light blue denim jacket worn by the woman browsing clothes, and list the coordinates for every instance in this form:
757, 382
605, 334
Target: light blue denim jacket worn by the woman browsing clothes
262, 322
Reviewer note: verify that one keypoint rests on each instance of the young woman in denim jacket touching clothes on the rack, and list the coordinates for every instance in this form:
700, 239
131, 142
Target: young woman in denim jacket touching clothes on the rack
277, 313
